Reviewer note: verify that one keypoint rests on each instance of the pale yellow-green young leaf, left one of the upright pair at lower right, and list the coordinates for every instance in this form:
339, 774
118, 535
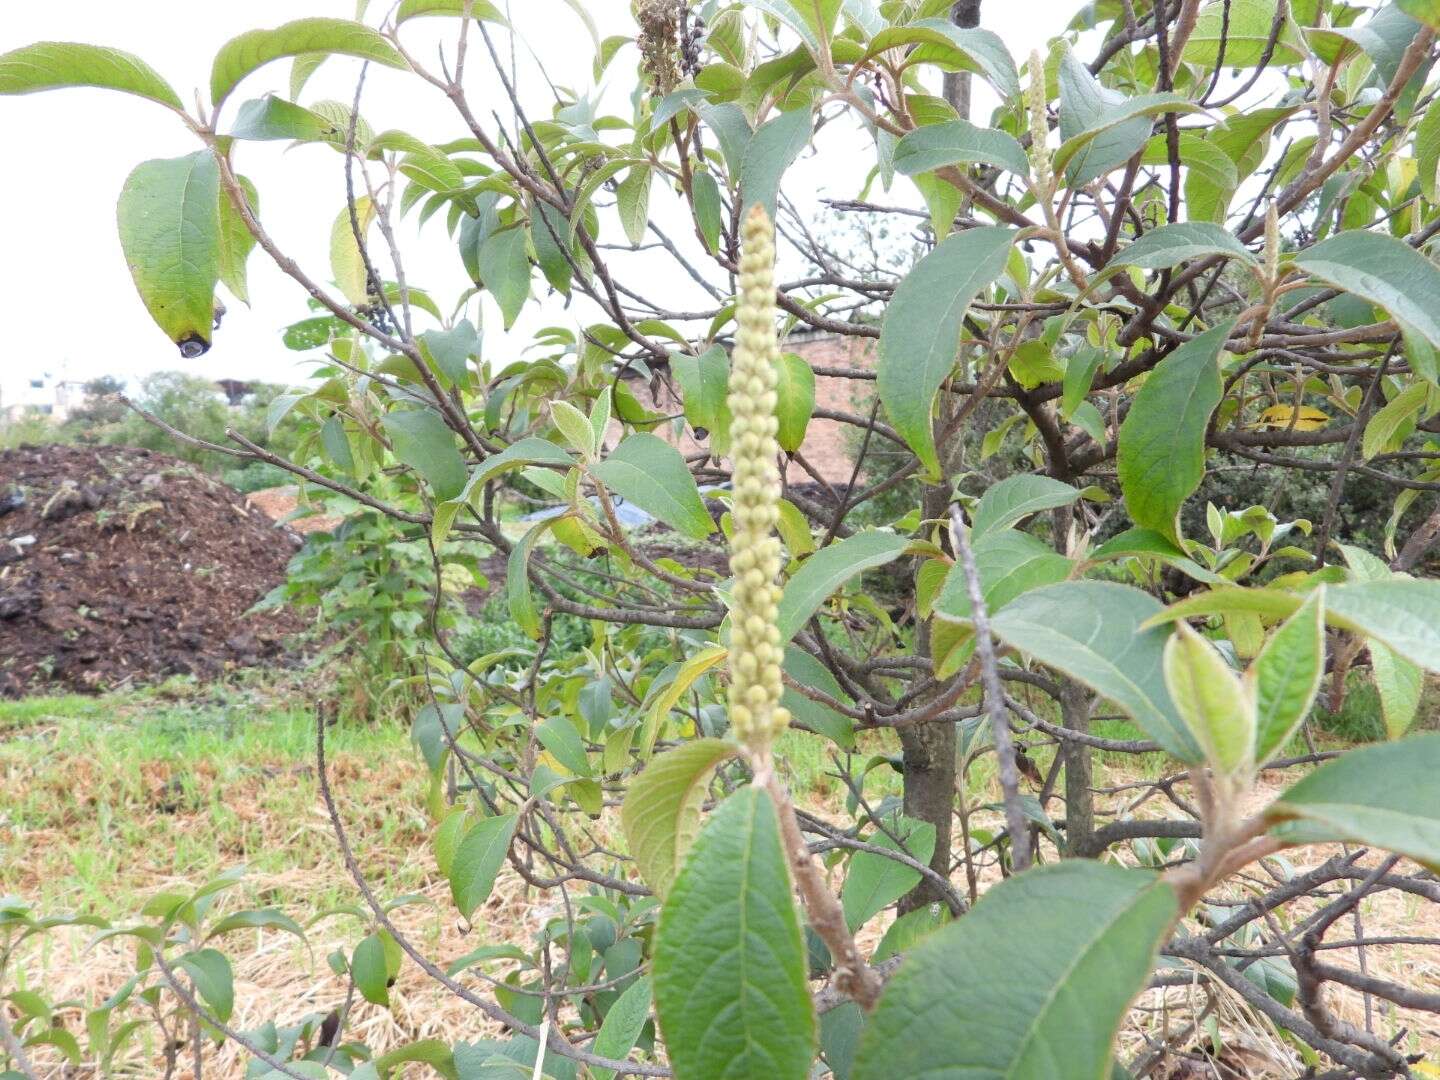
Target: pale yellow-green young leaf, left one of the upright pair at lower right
1212, 701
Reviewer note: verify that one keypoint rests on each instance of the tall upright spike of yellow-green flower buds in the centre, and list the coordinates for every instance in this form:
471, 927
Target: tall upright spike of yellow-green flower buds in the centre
755, 549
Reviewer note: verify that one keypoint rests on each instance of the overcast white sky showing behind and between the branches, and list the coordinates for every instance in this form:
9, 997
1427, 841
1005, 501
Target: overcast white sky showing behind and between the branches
70, 305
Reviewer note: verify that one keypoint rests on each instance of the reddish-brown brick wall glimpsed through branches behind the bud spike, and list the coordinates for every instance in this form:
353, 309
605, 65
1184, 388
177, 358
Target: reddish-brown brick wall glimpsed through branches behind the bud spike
829, 444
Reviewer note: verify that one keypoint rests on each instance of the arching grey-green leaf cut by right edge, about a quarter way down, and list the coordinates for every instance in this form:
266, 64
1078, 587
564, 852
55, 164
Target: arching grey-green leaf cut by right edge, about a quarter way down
1385, 271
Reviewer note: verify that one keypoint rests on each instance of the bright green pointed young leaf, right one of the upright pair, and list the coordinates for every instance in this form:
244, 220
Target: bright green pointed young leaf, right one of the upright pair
1287, 676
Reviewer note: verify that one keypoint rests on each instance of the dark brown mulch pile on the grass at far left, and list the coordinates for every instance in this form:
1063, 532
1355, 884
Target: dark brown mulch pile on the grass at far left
125, 567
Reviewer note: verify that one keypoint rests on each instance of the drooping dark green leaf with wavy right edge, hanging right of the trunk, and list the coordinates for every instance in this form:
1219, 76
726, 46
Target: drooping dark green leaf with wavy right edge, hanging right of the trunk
1163, 440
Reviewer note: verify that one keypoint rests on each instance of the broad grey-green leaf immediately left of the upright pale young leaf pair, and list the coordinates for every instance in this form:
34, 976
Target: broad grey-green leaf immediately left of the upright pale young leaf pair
1092, 633
